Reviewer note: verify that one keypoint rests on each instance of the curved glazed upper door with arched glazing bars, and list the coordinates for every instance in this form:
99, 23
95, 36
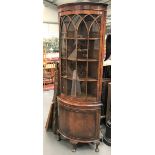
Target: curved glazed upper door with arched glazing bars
80, 51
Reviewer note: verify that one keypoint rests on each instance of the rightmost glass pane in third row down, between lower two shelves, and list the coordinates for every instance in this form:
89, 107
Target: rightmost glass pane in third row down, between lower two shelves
93, 70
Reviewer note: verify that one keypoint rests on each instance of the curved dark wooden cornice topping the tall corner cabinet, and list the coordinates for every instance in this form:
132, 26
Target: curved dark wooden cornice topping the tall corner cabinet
82, 6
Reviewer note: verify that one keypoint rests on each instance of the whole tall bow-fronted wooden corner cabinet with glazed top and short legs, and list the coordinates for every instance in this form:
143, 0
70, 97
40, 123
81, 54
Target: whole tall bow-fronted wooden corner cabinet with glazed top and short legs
82, 32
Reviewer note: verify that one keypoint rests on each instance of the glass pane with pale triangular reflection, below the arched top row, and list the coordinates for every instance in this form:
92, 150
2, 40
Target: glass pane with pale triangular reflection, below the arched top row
71, 49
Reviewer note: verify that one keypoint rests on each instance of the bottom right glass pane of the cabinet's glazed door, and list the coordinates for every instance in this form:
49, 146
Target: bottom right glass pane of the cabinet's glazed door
91, 89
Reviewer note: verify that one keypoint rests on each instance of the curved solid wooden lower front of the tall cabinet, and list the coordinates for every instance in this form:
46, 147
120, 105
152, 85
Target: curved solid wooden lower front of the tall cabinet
79, 124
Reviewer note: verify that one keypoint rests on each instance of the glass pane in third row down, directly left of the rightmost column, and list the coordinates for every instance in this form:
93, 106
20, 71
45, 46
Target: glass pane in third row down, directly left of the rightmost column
82, 69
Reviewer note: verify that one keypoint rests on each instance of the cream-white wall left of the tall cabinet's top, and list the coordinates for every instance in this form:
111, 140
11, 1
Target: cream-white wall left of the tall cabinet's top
50, 14
